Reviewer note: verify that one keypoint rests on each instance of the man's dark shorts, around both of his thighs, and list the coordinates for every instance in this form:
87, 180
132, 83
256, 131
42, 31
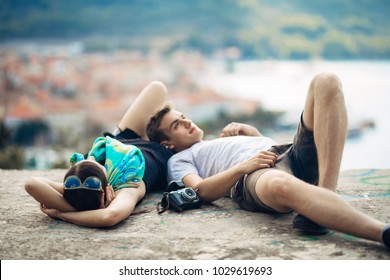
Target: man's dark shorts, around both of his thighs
298, 158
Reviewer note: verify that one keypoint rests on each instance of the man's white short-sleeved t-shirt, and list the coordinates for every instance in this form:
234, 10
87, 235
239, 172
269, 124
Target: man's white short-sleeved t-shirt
208, 158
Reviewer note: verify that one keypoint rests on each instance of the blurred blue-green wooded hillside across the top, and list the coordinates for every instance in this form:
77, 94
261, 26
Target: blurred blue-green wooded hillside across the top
296, 29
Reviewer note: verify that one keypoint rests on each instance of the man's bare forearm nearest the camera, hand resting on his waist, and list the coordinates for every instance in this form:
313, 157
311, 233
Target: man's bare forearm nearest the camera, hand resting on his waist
216, 186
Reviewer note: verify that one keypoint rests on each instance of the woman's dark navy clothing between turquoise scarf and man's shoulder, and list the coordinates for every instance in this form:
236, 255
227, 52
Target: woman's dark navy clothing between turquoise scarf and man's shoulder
156, 157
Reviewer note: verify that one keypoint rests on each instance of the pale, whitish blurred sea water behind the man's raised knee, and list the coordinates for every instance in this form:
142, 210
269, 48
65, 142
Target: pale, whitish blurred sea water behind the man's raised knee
282, 85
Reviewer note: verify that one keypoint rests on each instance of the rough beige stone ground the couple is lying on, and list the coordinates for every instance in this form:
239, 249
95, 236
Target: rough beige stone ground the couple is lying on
217, 232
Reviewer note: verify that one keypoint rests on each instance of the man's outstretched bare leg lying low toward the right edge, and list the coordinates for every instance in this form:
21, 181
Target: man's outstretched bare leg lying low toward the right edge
284, 192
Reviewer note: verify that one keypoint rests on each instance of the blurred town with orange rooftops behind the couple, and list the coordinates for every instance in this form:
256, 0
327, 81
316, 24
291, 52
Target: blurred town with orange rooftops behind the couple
55, 98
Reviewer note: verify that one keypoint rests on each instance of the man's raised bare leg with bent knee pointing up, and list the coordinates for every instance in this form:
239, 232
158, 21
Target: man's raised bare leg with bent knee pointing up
326, 115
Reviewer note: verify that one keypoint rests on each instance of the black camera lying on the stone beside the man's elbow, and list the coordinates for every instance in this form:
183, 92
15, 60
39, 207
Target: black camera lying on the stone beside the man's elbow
179, 200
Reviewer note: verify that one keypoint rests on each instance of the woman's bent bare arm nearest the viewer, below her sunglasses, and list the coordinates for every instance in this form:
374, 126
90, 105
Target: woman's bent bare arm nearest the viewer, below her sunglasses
118, 210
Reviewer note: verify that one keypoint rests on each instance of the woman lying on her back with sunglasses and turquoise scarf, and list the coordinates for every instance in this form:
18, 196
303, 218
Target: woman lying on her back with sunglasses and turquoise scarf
103, 187
